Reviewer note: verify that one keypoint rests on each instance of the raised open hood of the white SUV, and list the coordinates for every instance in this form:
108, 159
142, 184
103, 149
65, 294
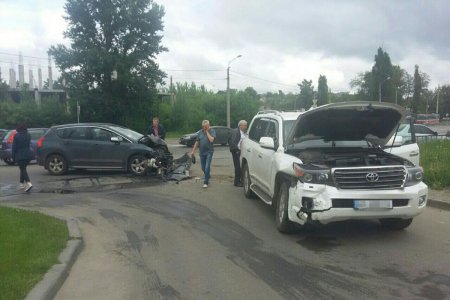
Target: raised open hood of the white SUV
348, 121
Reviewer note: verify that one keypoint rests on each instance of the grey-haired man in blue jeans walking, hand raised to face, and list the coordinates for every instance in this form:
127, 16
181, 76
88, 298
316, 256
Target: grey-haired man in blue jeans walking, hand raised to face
205, 141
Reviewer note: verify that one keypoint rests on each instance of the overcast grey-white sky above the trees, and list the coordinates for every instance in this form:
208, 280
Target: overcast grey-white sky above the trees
281, 42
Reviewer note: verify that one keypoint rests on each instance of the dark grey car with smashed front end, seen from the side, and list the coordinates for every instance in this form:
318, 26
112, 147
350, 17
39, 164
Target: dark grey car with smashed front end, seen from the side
100, 146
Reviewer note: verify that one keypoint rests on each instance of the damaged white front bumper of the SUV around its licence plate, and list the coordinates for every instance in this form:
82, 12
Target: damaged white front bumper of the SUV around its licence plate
325, 204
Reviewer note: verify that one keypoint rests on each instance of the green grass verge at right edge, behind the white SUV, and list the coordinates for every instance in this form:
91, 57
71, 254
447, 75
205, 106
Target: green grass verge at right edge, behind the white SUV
435, 160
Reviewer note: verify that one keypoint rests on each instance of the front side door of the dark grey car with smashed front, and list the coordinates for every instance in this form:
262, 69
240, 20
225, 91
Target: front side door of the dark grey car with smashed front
107, 154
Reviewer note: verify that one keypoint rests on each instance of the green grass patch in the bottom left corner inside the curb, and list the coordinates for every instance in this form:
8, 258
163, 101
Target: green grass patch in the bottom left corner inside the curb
30, 243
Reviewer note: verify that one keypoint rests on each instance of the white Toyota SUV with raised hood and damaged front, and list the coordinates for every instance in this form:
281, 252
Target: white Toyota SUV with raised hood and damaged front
331, 163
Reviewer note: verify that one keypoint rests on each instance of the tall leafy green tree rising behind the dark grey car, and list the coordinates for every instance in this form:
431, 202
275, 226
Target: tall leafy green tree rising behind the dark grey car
110, 66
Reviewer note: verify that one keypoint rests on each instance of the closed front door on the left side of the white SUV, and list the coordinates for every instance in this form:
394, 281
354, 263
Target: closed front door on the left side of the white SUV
266, 156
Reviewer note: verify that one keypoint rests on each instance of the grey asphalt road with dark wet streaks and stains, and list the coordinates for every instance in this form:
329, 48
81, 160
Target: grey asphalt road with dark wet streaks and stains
148, 239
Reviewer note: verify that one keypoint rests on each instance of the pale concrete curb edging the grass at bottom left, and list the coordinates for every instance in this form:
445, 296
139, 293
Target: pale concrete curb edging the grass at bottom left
55, 277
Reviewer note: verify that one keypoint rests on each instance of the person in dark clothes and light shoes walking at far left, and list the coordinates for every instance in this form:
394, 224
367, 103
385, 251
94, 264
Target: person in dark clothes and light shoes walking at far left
22, 154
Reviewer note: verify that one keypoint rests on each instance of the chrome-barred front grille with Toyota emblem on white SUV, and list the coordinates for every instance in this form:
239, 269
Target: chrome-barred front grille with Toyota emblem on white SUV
391, 177
